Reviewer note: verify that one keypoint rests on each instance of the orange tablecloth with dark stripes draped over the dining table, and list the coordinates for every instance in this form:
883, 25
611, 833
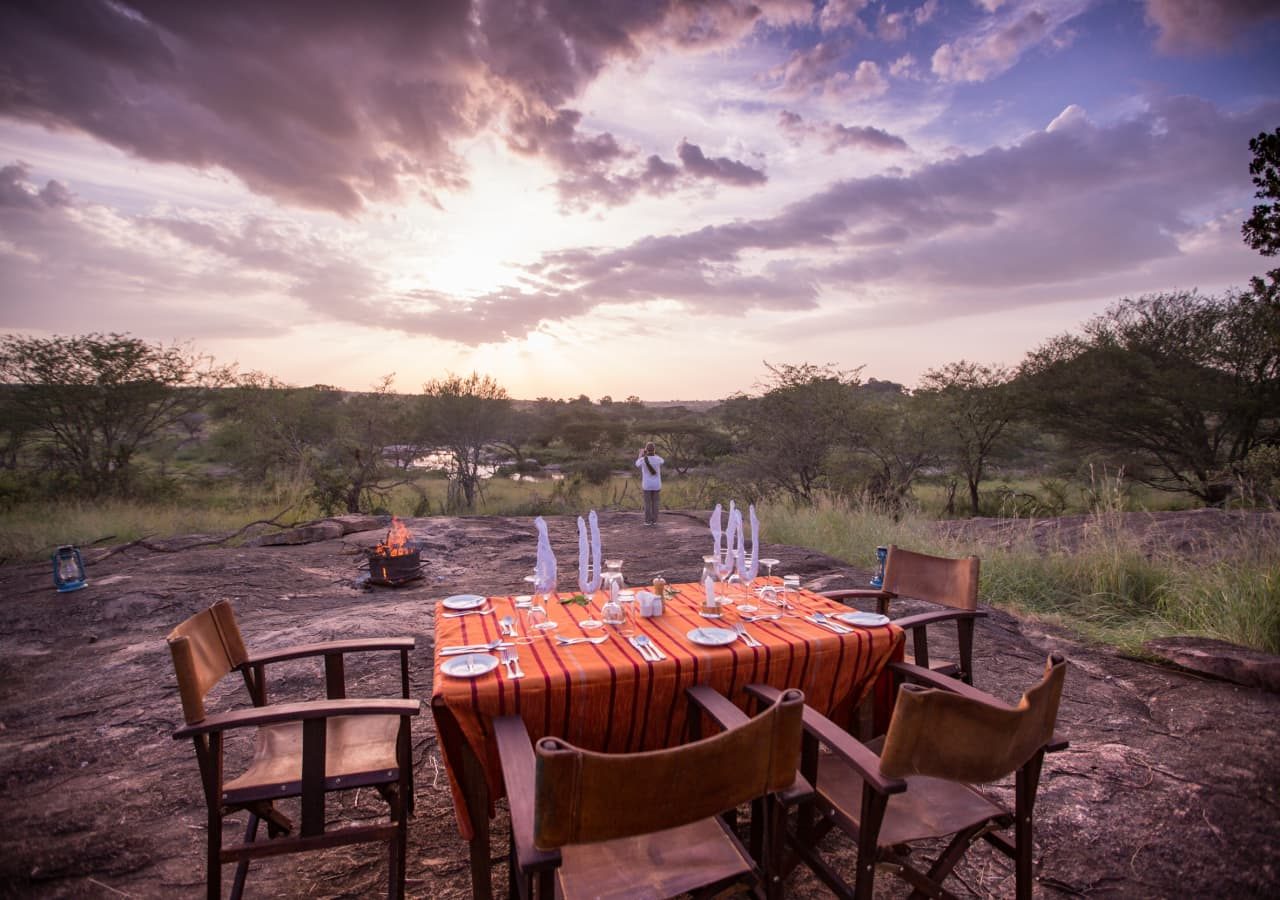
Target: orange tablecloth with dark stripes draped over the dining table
609, 698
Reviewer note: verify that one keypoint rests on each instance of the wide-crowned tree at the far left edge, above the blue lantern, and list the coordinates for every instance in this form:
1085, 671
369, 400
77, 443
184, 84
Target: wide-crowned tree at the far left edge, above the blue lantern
97, 401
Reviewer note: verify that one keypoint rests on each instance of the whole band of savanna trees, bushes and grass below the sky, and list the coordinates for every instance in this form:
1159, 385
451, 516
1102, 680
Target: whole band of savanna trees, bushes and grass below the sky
1172, 399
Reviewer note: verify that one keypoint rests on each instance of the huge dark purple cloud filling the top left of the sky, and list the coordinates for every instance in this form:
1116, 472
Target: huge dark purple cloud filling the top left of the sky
333, 107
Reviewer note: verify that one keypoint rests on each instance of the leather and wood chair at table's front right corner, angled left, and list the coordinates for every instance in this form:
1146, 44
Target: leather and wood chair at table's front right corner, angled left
943, 741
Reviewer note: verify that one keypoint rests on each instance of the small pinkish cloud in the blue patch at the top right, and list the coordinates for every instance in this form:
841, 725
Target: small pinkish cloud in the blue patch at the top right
996, 44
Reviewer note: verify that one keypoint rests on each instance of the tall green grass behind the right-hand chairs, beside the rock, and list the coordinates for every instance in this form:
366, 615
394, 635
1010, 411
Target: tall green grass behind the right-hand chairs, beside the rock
1108, 590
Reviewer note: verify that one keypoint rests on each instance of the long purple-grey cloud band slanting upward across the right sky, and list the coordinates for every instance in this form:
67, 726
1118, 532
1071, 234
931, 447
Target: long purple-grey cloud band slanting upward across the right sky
1062, 208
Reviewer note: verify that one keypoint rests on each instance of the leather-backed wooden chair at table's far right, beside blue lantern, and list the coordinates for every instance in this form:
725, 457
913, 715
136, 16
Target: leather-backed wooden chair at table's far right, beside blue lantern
940, 581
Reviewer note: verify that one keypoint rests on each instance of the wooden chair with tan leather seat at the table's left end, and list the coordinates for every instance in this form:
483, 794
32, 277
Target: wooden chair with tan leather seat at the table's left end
304, 751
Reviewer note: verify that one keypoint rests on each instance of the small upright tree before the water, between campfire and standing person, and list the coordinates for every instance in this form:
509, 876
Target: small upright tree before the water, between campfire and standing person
465, 415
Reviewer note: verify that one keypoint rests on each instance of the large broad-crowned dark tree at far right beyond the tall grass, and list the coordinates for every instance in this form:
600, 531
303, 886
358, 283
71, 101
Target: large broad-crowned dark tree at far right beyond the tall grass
1178, 386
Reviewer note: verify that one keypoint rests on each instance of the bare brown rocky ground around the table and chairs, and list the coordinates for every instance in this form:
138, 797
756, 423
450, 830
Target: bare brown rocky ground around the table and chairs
1171, 788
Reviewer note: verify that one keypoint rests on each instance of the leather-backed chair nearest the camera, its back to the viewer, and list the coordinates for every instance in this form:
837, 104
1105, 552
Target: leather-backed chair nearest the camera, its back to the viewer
644, 825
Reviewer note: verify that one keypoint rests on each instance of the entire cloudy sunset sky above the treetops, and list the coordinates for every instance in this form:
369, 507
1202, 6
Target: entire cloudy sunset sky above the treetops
620, 198
